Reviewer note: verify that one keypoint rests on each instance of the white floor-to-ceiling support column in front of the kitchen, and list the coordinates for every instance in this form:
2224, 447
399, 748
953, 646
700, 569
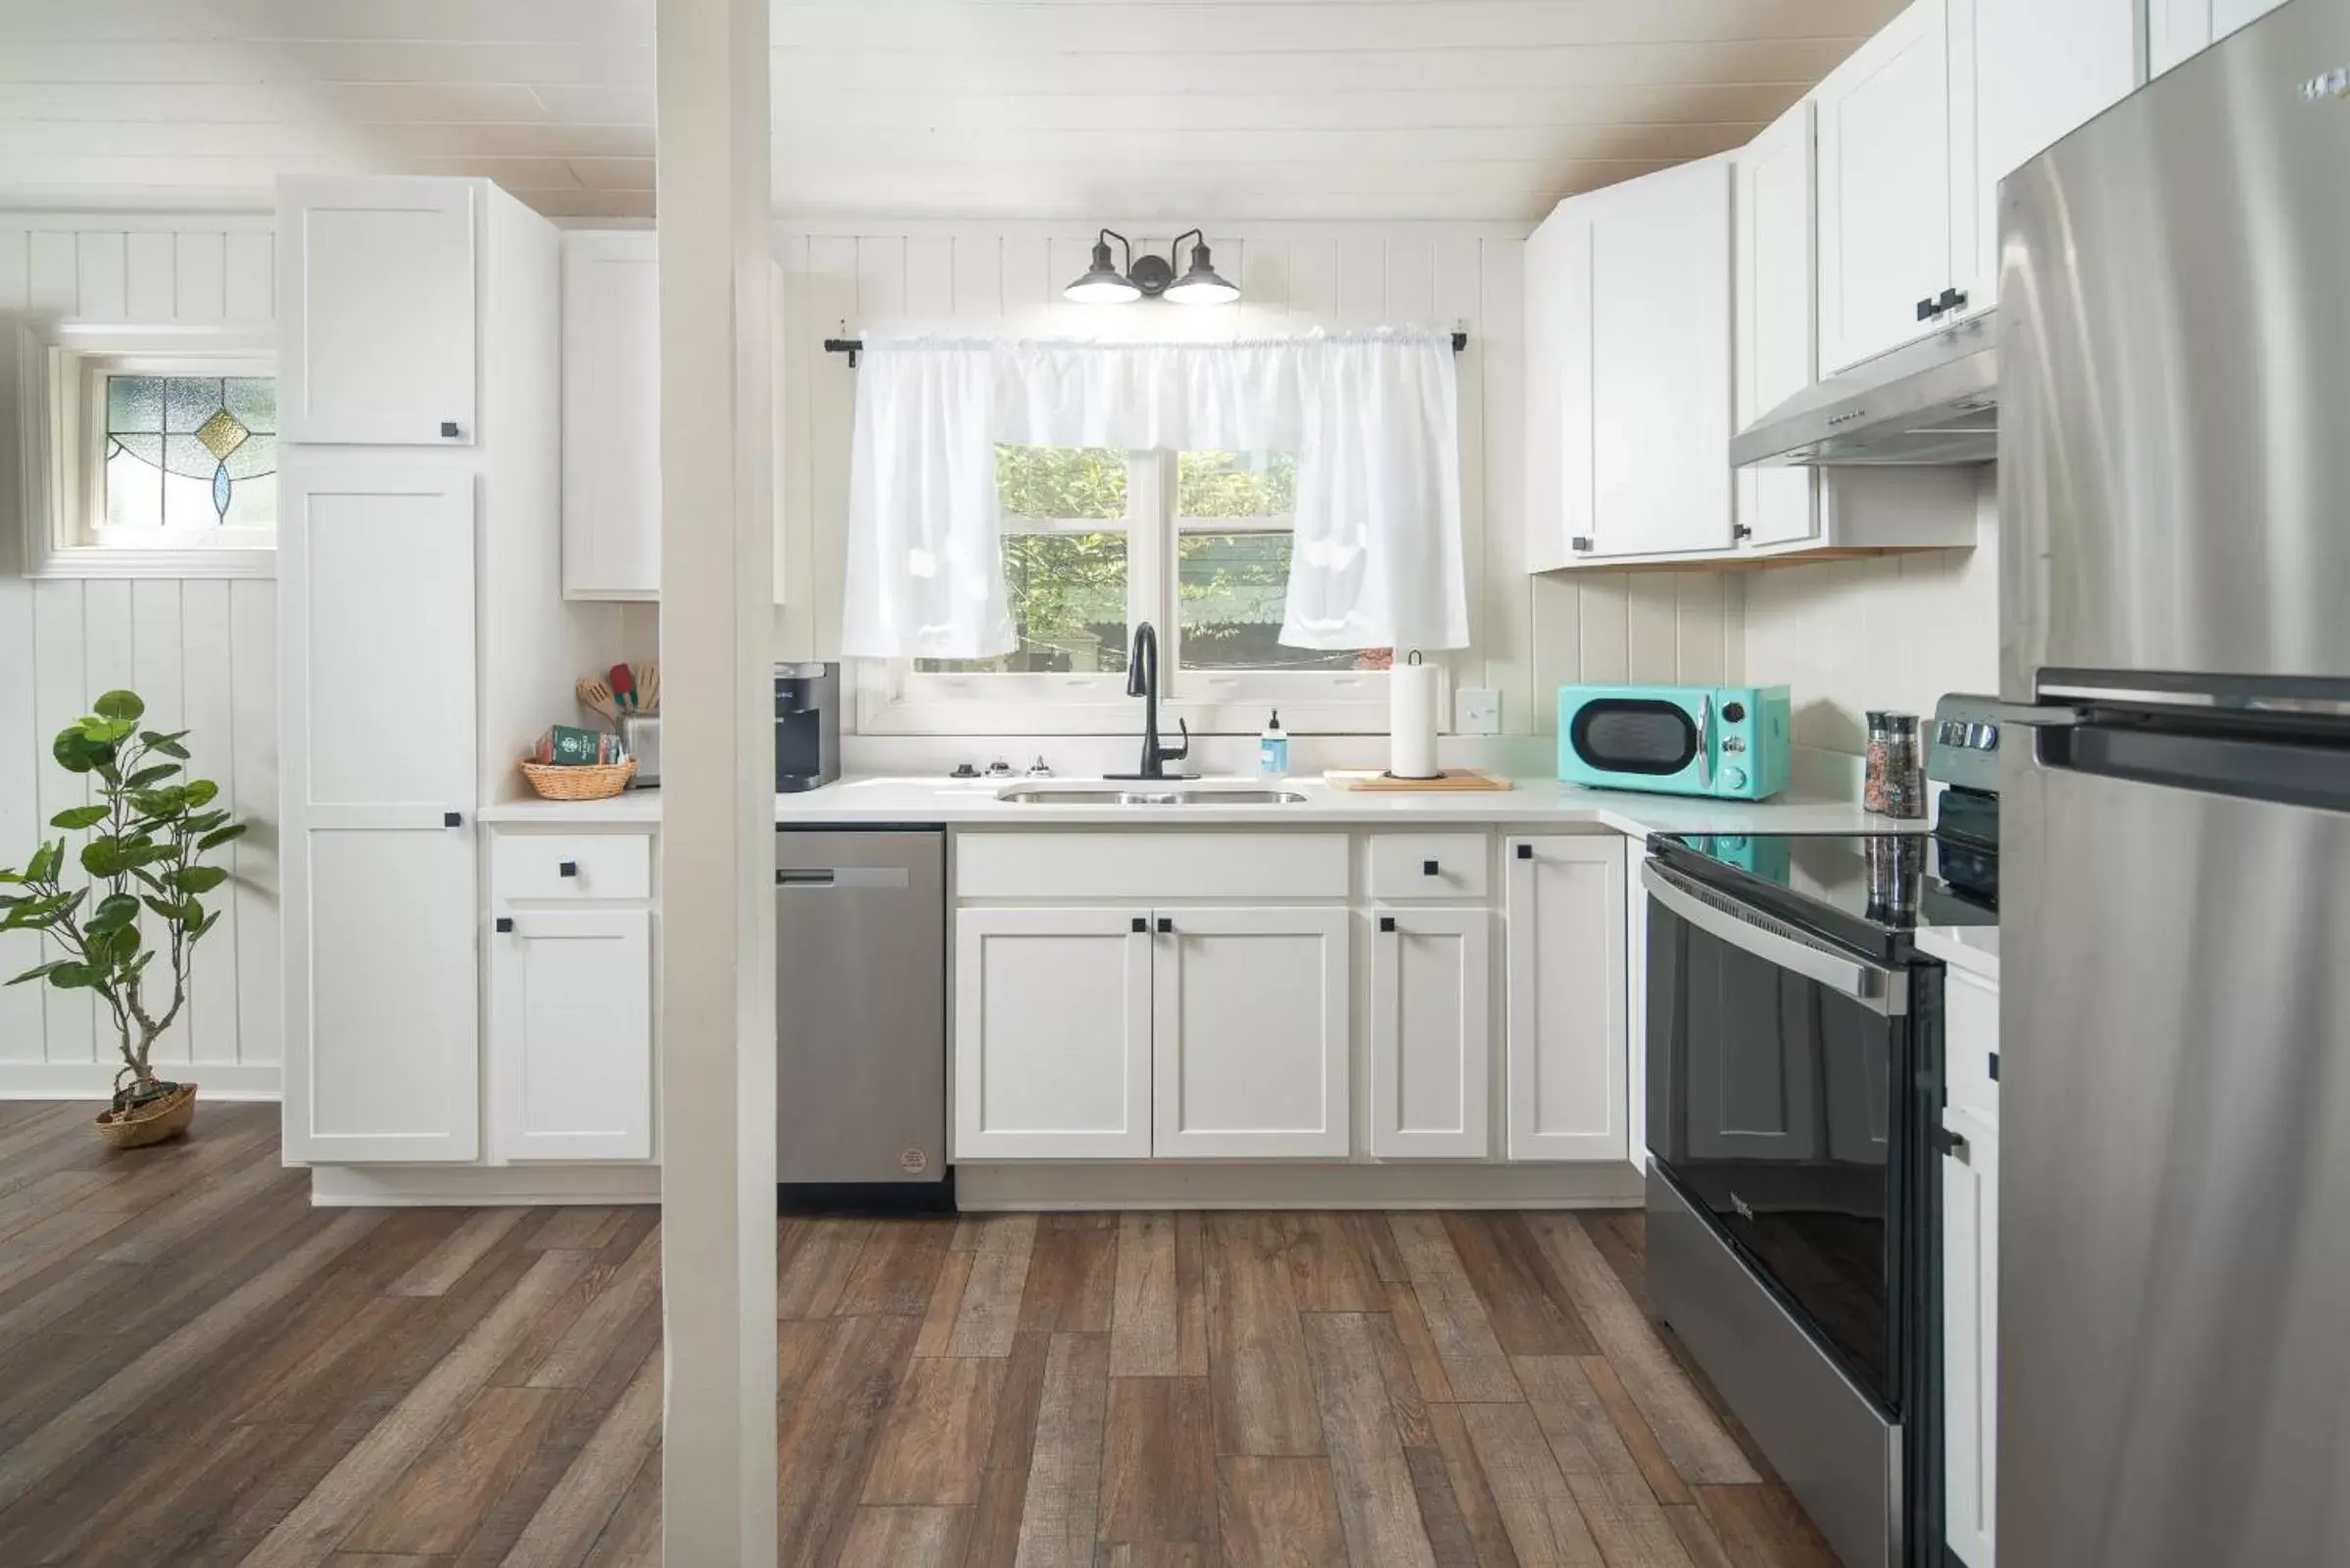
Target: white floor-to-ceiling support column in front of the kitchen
718, 793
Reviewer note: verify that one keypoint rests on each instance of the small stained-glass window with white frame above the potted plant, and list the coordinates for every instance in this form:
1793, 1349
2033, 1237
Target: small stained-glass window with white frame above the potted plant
152, 453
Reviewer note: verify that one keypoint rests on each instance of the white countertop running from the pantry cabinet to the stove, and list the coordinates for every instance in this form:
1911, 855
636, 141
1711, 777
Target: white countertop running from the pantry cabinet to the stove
979, 805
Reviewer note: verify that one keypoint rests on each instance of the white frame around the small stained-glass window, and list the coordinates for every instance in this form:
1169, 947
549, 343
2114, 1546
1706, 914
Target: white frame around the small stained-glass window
62, 436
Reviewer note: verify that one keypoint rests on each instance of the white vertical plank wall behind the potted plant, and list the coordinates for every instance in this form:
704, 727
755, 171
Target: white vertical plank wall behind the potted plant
201, 652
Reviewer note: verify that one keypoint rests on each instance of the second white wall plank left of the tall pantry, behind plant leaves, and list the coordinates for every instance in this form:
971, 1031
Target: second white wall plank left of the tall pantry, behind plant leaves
208, 709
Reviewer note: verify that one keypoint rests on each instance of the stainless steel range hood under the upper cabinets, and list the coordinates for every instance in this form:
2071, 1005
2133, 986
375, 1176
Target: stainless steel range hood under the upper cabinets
1926, 403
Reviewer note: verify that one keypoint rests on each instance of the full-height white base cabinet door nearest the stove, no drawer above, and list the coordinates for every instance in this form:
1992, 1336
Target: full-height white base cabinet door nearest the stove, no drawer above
1566, 998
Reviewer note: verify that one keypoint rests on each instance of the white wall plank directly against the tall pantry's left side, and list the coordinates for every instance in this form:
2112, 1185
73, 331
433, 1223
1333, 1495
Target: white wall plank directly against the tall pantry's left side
253, 721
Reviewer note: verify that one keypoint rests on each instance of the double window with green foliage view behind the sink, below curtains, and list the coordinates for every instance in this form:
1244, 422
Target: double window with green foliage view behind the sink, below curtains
1099, 542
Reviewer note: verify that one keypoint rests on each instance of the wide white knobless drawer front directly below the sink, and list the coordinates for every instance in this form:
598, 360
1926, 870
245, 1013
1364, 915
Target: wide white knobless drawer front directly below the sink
1143, 866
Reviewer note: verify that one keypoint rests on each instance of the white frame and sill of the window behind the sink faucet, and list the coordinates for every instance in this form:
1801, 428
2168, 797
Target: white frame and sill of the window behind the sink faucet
894, 699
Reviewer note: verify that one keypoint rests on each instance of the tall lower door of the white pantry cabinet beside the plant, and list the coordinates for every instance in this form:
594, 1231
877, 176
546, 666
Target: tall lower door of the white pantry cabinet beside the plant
375, 572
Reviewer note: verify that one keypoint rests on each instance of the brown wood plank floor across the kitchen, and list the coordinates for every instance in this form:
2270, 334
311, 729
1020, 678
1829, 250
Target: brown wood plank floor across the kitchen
196, 1367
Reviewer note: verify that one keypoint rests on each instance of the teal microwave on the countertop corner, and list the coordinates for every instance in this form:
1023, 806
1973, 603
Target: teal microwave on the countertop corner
1724, 742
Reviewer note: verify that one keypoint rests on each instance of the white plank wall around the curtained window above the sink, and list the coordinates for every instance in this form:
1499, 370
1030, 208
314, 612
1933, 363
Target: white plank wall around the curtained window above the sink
1531, 634
